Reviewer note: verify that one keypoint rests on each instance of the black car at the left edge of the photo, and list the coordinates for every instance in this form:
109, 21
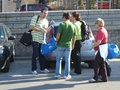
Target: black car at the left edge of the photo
7, 51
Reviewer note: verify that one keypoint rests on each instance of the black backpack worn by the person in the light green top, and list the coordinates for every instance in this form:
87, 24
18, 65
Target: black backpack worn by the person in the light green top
84, 30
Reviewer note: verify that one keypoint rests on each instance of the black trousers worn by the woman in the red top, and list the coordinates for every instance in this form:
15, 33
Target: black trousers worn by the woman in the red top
100, 68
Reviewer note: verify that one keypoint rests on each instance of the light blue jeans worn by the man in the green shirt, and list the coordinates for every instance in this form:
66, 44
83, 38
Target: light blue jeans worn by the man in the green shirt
66, 52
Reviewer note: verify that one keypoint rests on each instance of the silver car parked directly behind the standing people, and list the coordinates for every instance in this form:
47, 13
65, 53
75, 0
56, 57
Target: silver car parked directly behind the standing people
87, 52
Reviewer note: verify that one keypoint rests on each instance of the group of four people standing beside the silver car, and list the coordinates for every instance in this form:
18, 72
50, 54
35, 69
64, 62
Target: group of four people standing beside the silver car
68, 40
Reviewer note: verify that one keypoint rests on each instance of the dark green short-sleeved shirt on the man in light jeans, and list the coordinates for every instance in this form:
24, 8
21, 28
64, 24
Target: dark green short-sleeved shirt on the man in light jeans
67, 31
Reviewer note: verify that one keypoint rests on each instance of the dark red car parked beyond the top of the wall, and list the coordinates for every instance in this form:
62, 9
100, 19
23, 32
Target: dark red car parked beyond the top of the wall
33, 7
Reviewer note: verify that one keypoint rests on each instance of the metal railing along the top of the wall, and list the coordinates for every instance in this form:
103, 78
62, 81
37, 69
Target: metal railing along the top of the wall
83, 4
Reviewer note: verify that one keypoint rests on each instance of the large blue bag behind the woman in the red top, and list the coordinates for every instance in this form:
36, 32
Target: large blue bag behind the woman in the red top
113, 51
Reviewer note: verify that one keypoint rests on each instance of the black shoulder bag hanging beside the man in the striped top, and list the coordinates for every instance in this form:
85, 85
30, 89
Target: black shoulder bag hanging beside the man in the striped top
26, 38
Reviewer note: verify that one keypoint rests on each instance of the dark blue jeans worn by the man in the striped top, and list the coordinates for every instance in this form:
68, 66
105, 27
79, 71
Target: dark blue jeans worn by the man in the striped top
37, 56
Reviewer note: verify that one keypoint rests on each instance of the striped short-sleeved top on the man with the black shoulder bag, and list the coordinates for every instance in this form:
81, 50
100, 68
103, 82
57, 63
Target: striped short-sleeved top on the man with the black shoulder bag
39, 36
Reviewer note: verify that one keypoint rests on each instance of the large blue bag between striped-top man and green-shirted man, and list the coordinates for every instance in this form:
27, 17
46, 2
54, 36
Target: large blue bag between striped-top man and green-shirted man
49, 46
